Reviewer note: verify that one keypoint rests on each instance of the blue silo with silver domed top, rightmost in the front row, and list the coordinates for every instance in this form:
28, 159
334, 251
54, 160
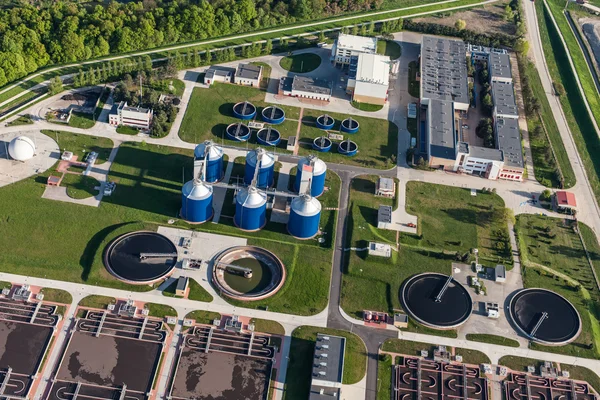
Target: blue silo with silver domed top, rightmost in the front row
305, 215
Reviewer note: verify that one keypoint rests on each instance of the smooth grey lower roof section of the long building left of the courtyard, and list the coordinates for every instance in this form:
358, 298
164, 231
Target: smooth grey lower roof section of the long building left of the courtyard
441, 129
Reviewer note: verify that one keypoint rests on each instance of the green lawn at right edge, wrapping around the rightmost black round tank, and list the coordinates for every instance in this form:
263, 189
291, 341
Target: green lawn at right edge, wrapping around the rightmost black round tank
550, 242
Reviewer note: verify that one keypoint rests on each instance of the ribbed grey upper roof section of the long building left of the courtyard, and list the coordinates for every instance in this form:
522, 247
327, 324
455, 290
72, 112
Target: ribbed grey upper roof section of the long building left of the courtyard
444, 69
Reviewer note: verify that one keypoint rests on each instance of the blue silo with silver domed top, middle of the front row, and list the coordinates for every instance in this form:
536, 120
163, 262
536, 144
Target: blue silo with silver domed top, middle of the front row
250, 209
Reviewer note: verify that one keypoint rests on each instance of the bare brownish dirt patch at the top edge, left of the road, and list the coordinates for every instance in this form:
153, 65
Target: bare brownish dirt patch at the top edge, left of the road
488, 19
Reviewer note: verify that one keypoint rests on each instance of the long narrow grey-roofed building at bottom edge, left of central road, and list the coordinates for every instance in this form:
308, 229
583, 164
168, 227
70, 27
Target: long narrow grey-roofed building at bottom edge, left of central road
327, 367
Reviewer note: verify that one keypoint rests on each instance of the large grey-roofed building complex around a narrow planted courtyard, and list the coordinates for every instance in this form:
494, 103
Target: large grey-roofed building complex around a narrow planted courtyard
444, 96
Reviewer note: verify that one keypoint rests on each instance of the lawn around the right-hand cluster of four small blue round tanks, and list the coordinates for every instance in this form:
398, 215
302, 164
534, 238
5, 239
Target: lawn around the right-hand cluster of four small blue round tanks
377, 140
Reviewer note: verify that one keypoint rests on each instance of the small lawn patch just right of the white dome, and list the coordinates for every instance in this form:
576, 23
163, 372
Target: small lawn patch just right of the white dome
80, 145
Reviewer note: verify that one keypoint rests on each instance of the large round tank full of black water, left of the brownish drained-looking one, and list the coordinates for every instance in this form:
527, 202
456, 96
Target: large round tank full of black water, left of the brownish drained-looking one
141, 257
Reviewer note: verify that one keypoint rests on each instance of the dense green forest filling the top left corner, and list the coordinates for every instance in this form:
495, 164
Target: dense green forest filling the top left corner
35, 34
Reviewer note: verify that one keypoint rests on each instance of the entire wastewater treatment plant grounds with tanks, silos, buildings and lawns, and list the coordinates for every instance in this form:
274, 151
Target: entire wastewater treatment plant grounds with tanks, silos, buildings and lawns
345, 219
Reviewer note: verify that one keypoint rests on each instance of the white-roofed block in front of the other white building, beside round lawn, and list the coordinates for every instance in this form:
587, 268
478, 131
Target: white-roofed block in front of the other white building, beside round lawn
369, 78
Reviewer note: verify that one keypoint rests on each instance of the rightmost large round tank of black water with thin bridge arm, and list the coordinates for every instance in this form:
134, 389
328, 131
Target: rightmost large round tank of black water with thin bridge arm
545, 317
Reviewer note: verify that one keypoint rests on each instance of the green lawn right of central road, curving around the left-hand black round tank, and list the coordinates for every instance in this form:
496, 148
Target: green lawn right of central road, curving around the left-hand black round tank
373, 283
